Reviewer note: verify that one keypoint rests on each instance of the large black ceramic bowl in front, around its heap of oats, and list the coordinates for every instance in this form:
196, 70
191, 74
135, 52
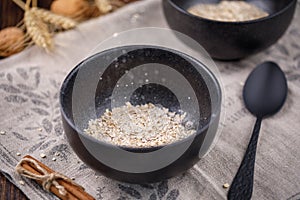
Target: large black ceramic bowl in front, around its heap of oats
84, 95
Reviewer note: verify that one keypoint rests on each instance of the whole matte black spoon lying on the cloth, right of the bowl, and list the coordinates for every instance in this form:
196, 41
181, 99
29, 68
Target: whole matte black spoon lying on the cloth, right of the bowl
264, 94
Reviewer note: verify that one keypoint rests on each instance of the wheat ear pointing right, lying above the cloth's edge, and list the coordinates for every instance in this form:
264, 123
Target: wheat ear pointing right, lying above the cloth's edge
51, 18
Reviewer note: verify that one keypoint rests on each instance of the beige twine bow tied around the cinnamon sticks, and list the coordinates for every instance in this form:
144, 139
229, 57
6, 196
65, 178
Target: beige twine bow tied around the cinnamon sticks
47, 179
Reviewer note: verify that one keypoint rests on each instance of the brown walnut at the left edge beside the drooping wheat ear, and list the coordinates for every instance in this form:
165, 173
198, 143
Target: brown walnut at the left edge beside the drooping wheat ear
12, 41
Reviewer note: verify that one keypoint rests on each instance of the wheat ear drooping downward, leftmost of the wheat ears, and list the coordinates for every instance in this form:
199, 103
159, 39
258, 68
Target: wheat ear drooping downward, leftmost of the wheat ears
37, 30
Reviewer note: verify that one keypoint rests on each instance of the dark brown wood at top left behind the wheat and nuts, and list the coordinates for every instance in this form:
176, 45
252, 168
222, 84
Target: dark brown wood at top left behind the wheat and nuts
11, 14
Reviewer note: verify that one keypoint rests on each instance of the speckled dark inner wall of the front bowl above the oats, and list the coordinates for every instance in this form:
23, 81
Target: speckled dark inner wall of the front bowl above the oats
140, 75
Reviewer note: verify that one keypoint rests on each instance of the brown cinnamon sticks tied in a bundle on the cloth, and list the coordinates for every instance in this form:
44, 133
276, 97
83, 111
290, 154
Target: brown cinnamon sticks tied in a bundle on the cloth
73, 191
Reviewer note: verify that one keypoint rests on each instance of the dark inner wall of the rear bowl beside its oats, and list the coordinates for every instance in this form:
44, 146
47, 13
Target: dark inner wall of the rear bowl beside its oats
270, 6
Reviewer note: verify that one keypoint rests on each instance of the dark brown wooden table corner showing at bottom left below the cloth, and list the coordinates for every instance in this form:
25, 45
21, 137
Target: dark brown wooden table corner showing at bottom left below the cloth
9, 191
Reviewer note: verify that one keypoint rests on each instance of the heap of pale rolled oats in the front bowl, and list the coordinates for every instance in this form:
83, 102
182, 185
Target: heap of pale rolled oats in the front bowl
139, 126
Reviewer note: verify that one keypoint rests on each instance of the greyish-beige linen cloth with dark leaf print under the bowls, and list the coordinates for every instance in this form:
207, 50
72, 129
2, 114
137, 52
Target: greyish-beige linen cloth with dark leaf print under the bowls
30, 115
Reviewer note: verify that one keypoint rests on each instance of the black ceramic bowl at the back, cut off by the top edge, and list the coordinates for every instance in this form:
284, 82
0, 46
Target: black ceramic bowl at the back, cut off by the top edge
231, 40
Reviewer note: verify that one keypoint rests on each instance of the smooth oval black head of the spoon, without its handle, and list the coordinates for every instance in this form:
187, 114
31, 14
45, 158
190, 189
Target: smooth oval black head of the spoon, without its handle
265, 90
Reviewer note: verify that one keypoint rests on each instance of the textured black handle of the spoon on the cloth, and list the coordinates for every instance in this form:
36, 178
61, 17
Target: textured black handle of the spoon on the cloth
242, 184
